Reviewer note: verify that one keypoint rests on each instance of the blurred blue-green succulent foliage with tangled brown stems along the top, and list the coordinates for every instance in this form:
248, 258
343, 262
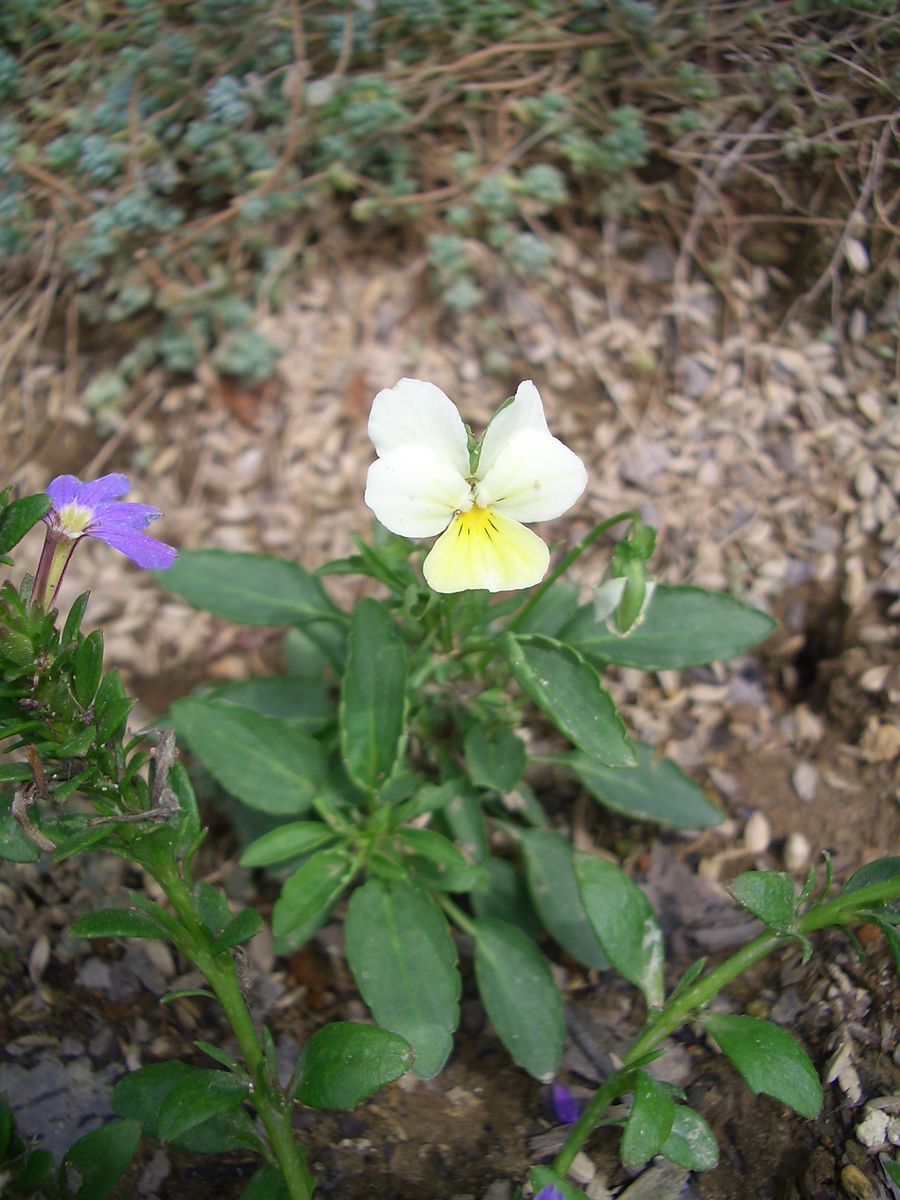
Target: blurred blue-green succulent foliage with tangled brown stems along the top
178, 149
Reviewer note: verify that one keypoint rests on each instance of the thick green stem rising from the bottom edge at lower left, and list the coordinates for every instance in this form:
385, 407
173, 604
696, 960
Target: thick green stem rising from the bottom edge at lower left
272, 1106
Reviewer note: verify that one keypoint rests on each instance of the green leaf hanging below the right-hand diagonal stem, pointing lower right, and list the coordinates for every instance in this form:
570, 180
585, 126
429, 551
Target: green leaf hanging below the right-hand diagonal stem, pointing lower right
770, 1060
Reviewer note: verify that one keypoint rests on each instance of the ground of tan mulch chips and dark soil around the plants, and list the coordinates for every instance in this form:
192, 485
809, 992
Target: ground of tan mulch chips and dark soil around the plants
771, 463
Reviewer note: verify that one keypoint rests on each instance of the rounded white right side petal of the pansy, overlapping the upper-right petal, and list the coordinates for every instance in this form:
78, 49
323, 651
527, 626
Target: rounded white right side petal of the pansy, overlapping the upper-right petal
535, 478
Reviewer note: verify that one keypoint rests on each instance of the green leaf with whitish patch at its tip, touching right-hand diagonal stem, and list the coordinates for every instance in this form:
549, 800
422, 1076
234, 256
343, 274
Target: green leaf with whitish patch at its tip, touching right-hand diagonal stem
625, 923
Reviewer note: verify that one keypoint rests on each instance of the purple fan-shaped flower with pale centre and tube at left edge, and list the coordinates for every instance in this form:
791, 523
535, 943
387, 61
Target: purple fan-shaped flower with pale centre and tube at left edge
95, 511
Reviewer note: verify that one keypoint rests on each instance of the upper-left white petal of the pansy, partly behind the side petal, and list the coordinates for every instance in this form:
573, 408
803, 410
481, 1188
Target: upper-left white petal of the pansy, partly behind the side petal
419, 413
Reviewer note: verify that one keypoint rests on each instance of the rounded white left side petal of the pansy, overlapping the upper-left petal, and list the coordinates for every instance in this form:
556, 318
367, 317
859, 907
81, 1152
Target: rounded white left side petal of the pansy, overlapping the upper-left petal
415, 494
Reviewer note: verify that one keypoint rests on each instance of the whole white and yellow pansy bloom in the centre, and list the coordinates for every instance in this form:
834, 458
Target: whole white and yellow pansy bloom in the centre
428, 481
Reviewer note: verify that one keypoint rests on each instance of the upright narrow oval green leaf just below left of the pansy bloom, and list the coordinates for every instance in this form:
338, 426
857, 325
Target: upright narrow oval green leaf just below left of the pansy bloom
374, 703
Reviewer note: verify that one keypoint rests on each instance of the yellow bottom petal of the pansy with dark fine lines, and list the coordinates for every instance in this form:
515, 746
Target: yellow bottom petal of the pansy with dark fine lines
482, 549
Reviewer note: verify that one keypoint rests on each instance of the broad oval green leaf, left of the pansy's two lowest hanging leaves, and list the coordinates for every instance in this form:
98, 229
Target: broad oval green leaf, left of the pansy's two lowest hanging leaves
404, 961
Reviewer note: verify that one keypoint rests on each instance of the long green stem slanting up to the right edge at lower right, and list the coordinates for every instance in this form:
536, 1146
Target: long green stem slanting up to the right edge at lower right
842, 910
